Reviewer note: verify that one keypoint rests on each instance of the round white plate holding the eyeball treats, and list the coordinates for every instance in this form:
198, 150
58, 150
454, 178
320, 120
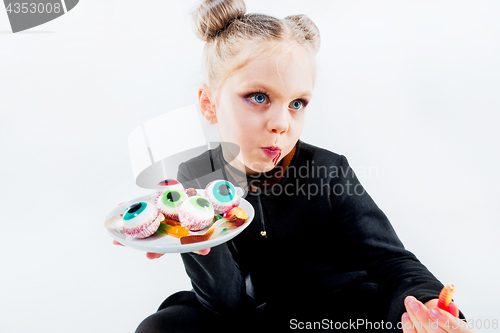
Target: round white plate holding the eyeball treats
170, 244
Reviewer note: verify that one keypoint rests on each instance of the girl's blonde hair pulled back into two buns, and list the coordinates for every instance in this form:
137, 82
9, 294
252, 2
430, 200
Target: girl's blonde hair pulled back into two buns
233, 37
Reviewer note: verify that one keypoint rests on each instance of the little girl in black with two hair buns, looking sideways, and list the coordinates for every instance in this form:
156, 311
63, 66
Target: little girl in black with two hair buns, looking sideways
319, 253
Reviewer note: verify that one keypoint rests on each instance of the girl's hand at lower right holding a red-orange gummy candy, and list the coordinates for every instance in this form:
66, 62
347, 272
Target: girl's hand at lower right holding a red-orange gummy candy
421, 318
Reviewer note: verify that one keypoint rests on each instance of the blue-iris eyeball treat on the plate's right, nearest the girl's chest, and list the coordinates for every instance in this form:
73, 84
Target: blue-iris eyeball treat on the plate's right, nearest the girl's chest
223, 195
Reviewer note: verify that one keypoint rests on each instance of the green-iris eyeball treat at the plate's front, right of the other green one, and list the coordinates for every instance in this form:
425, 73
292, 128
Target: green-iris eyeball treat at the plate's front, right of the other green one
196, 213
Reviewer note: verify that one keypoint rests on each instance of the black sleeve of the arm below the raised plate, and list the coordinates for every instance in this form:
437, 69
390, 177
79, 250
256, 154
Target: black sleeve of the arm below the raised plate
216, 278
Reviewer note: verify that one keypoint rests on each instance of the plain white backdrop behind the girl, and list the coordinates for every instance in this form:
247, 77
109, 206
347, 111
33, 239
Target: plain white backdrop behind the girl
407, 90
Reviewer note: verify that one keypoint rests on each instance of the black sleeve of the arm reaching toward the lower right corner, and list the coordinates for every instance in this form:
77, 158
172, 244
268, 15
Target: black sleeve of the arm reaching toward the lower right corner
396, 270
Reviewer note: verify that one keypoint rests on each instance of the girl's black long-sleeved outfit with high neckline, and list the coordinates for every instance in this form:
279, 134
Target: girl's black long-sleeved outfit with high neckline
318, 254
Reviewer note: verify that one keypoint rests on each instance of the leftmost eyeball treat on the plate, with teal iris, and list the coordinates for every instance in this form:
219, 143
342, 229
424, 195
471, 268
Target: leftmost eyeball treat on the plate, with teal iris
141, 219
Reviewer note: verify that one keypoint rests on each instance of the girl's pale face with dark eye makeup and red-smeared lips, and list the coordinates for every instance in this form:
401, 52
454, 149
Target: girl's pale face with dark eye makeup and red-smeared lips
261, 108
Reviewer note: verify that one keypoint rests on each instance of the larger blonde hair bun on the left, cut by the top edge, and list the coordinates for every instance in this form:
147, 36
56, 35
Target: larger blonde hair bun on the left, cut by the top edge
213, 16
